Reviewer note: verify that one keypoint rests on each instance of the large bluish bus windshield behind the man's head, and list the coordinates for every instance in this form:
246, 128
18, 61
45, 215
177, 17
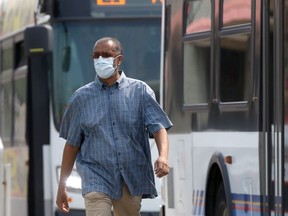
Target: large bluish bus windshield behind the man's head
73, 45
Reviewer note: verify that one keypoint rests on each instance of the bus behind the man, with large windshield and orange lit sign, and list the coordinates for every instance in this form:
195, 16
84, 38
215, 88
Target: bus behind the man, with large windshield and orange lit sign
45, 55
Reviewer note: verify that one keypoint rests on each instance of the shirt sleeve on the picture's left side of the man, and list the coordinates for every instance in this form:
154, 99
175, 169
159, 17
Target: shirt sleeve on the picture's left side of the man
70, 126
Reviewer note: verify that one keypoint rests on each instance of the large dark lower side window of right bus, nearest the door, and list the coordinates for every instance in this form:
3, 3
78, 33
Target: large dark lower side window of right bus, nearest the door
235, 68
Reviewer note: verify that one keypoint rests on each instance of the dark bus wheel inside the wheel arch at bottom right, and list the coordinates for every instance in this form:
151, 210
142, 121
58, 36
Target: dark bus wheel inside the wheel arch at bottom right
220, 202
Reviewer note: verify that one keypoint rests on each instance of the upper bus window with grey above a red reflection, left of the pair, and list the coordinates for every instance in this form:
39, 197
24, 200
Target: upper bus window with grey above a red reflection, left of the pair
198, 16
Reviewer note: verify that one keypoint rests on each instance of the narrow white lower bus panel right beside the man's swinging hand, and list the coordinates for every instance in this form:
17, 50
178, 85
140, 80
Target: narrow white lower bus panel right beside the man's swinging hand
178, 184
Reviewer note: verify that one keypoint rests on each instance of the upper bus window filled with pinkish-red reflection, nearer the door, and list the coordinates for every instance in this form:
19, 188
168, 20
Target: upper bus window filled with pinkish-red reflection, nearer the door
236, 12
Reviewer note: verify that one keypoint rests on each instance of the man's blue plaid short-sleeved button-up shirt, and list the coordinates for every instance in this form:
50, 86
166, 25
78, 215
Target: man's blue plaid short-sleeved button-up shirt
111, 126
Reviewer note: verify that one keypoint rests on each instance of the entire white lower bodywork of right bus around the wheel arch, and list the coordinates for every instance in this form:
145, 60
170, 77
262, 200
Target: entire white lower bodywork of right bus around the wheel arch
189, 158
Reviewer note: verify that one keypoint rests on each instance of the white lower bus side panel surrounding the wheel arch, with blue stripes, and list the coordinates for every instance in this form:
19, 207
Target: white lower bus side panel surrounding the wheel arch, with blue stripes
243, 172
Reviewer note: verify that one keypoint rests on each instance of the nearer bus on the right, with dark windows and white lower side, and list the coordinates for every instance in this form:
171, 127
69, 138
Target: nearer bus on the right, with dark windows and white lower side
224, 80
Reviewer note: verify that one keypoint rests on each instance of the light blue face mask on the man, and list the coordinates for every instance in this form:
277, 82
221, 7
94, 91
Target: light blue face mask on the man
104, 67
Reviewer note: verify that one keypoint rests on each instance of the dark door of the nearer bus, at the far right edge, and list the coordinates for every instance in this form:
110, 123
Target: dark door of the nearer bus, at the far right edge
275, 116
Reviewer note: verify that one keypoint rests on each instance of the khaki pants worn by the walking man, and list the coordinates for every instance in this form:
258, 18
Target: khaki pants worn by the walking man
100, 204
